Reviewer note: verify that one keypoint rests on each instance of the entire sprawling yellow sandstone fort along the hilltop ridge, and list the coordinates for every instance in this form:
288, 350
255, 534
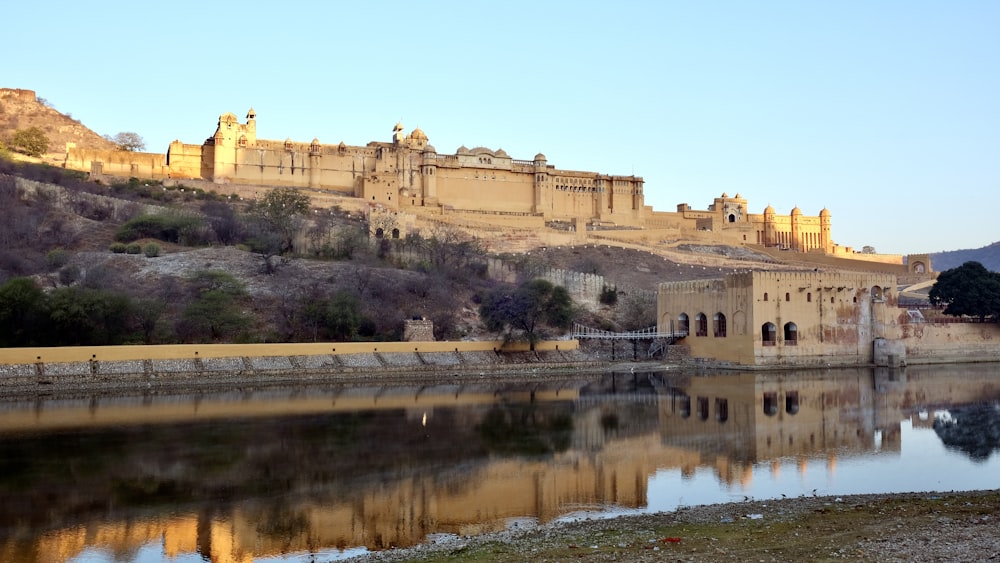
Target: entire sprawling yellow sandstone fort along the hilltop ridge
412, 186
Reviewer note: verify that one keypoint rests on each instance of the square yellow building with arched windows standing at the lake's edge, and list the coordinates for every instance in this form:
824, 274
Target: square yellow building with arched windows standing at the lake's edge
782, 318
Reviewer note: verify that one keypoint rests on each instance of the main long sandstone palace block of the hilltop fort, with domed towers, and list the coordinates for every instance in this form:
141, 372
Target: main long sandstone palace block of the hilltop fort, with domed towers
408, 172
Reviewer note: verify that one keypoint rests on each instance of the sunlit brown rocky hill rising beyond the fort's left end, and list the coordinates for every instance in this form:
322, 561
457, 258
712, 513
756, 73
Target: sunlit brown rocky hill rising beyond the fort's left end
21, 109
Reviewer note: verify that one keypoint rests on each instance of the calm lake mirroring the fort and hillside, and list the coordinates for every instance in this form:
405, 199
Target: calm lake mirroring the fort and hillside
323, 472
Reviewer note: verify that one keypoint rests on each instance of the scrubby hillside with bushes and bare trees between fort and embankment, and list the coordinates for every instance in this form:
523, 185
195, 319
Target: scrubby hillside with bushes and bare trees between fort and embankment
84, 263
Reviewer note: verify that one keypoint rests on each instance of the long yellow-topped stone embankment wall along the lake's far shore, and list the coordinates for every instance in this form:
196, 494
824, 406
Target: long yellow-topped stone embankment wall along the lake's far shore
24, 369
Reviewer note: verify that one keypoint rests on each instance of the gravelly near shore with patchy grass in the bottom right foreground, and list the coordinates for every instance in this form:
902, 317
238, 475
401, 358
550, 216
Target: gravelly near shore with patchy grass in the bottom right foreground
902, 527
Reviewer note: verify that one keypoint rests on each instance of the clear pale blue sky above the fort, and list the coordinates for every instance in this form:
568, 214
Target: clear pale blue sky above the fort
886, 113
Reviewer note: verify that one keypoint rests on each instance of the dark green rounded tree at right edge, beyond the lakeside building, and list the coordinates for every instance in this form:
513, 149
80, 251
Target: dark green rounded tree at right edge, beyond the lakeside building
969, 289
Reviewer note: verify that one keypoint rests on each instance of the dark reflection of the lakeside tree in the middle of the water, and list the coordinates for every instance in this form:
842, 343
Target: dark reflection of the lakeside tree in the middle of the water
525, 430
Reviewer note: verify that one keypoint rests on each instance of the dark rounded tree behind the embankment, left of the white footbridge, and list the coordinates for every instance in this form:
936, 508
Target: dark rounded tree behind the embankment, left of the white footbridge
526, 309
